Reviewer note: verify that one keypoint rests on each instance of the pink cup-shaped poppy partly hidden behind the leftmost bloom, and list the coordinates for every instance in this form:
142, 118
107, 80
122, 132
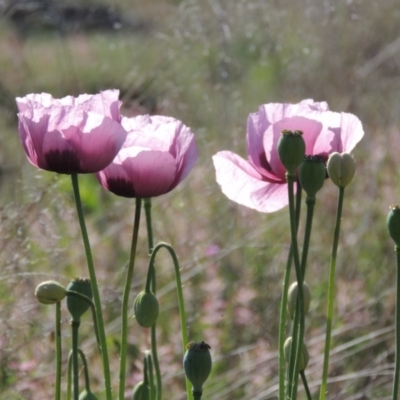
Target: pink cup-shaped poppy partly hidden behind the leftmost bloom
157, 155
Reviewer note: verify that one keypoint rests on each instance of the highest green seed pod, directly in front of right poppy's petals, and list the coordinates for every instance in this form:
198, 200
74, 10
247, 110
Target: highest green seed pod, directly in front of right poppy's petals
291, 149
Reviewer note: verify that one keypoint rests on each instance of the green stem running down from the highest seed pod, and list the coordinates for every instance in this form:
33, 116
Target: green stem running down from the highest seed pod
298, 329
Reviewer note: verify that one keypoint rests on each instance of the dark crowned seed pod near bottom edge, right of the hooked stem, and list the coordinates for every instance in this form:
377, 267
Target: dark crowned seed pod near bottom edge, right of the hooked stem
197, 364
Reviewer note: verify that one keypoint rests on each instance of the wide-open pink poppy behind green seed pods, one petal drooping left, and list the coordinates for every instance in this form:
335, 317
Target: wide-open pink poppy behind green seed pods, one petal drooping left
259, 182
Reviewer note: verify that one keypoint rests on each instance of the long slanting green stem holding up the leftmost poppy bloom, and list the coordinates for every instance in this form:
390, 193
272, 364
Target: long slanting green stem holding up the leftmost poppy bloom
95, 288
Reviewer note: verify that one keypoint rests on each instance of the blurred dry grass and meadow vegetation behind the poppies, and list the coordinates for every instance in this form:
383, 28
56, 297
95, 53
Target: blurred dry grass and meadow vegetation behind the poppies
209, 63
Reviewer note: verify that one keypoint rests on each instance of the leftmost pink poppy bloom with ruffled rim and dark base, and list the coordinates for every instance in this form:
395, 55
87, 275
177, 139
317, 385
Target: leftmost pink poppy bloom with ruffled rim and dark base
71, 135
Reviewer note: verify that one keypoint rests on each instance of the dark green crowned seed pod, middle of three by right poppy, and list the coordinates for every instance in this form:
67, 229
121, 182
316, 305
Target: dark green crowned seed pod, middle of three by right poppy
312, 174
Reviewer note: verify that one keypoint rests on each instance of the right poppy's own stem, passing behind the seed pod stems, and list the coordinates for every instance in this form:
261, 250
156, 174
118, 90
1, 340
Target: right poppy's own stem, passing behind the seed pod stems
283, 308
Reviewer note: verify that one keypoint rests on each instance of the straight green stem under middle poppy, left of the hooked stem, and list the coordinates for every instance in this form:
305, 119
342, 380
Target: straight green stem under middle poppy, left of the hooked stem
125, 300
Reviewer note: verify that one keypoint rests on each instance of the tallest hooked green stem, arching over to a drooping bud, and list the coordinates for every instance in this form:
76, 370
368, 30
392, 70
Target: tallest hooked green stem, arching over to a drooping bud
179, 293
